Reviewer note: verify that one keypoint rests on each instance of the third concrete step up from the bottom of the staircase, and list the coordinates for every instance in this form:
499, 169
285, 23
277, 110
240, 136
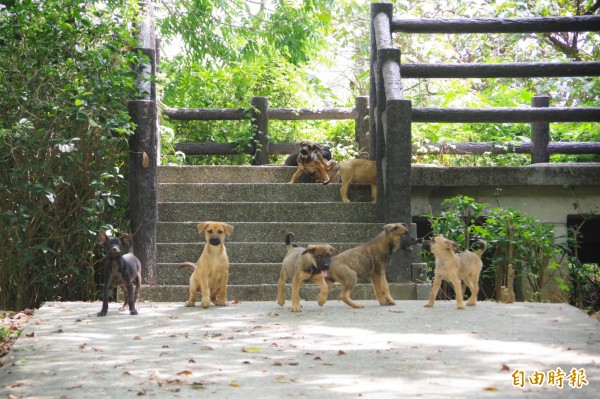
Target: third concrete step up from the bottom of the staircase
238, 252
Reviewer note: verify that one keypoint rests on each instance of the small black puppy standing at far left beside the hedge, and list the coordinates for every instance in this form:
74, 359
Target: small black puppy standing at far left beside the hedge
123, 270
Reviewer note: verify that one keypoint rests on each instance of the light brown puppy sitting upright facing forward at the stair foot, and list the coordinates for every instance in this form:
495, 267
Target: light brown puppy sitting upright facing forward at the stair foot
211, 272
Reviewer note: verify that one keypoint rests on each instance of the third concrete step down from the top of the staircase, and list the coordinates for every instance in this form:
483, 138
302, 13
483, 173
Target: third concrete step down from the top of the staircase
309, 212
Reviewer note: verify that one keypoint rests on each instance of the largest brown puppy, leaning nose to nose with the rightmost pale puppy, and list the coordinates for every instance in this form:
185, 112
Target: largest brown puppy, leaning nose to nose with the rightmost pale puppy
370, 259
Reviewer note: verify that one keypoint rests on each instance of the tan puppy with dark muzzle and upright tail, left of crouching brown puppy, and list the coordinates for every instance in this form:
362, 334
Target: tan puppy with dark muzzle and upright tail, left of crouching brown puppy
303, 264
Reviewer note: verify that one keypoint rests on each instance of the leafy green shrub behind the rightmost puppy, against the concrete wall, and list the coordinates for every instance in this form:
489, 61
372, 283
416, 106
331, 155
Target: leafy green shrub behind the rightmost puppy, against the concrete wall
514, 239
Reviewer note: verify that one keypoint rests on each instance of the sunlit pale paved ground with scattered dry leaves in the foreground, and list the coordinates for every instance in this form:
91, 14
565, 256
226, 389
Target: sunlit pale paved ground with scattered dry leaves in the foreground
261, 350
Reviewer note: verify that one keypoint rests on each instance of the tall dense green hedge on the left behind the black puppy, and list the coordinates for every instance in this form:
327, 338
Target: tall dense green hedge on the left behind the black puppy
67, 77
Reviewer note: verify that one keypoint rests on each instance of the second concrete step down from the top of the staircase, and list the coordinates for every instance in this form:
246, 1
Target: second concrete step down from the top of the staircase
260, 192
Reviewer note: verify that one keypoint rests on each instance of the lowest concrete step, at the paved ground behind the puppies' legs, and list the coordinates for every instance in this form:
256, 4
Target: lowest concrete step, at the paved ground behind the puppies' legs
268, 292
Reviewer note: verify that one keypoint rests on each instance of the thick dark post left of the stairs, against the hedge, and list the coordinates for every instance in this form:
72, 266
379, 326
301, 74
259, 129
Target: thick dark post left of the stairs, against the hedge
143, 187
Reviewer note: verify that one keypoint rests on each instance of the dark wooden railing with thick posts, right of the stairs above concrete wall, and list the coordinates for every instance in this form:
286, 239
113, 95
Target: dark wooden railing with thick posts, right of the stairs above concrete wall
391, 114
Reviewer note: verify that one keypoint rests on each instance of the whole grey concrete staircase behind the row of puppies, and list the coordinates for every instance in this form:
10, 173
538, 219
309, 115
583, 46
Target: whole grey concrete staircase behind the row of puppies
262, 207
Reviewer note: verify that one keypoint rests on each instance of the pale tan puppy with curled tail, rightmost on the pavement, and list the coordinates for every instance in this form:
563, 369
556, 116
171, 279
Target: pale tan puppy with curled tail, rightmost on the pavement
454, 267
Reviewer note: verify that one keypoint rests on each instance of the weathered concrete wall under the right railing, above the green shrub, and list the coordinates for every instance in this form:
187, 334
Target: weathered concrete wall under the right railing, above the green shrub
546, 192
